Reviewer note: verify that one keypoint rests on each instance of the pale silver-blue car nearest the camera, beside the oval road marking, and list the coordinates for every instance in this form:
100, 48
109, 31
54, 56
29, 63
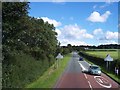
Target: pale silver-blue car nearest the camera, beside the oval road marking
94, 69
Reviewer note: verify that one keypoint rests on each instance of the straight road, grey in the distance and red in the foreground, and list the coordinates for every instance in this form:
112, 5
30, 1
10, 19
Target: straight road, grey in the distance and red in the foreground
73, 77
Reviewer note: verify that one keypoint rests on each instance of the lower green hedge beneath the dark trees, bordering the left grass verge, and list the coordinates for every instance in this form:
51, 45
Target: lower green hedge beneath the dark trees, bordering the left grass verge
22, 69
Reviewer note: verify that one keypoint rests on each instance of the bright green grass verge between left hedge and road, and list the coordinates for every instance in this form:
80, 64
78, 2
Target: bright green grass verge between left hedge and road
49, 78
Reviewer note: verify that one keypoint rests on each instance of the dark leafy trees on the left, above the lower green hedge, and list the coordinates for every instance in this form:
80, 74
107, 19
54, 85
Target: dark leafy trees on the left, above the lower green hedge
24, 33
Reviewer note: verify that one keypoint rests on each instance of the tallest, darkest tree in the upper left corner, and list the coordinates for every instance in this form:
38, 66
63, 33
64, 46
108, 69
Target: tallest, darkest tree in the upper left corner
13, 13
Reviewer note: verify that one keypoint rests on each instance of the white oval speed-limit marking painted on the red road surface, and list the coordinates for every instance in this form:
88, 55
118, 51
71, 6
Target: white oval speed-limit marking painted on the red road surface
103, 80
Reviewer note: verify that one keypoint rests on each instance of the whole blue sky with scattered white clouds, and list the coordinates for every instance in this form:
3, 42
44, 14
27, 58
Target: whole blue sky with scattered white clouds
80, 23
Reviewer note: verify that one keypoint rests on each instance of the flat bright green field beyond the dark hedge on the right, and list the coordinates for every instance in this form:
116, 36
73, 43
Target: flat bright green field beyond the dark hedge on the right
102, 54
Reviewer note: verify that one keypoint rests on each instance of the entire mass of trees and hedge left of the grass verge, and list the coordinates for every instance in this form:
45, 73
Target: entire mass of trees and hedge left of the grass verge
29, 45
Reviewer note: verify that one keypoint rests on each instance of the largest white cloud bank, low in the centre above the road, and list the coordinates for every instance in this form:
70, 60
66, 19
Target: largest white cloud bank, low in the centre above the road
73, 34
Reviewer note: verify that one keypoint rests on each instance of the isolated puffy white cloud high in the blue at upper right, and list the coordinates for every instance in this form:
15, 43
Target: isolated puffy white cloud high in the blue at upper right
96, 17
